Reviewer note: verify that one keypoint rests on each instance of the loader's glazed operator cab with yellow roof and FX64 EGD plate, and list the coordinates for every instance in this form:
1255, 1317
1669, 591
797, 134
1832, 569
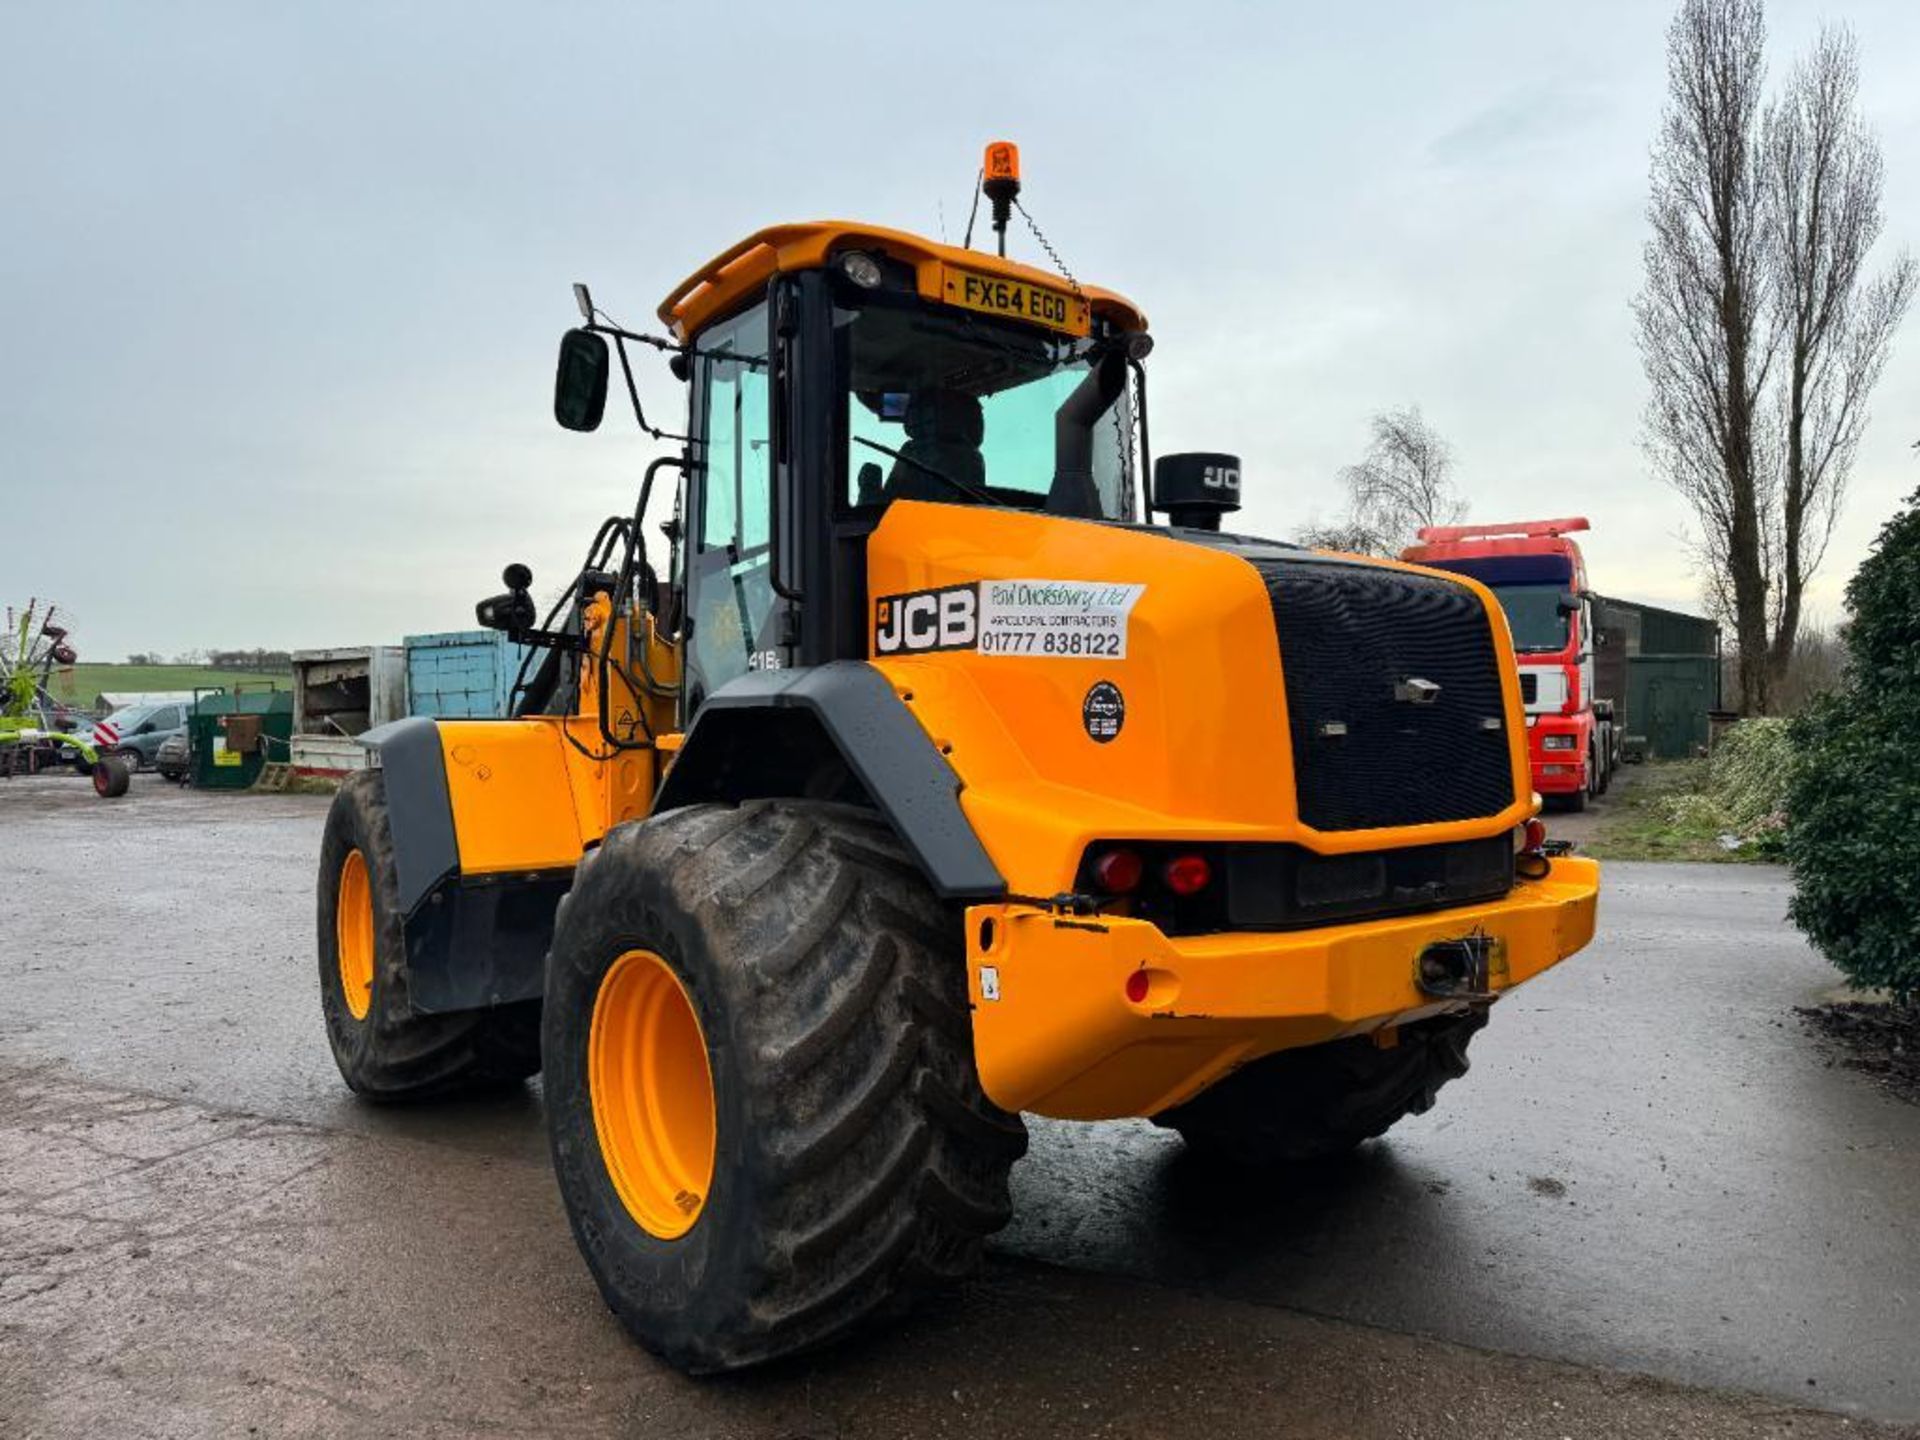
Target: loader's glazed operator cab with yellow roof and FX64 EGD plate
838, 370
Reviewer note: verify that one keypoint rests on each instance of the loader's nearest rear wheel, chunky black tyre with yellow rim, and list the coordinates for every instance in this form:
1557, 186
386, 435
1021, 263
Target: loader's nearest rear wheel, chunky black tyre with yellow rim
761, 1092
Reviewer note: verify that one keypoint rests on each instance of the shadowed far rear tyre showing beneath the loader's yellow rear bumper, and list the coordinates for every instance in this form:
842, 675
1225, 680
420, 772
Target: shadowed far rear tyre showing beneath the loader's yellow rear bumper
1324, 1099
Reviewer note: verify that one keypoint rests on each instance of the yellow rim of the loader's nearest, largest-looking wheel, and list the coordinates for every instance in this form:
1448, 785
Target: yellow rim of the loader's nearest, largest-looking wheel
654, 1093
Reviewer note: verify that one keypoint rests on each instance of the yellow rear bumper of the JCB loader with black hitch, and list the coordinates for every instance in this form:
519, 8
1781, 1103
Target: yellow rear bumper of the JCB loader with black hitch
1057, 1034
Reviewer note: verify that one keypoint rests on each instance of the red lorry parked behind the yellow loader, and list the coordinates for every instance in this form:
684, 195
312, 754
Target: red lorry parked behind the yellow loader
1541, 581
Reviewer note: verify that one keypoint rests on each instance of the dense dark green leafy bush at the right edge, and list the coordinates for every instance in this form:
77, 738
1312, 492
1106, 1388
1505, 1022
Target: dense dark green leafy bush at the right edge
1854, 792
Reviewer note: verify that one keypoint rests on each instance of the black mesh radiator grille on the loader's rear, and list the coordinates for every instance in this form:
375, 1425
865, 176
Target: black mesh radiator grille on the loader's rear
1374, 744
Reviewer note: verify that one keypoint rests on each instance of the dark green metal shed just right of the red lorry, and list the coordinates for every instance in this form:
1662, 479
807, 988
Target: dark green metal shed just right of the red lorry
1664, 671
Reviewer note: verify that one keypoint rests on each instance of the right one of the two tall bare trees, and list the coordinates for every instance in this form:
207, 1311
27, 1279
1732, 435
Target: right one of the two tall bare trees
1821, 181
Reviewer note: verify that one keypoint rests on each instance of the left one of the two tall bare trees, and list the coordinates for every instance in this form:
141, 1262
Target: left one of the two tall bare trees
1702, 325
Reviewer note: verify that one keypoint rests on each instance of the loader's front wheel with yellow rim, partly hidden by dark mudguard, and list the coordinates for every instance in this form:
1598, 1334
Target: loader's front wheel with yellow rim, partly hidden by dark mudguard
385, 1049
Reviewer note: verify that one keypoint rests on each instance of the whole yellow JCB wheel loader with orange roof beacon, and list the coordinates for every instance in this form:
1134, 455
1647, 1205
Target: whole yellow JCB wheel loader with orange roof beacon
930, 780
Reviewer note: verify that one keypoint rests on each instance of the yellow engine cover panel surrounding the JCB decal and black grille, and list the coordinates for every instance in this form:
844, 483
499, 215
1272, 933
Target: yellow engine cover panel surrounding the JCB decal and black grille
1205, 752
